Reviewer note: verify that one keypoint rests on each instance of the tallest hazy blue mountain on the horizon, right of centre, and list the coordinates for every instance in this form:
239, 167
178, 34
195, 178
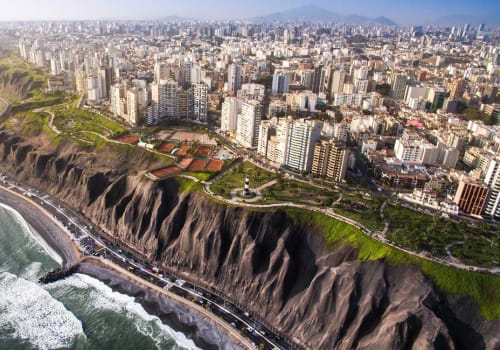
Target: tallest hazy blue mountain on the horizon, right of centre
312, 13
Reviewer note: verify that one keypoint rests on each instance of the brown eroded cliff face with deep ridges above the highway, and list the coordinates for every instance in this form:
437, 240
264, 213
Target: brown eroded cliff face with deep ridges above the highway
280, 270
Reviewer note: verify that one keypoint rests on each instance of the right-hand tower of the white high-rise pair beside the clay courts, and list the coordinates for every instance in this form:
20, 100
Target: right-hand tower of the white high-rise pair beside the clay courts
247, 128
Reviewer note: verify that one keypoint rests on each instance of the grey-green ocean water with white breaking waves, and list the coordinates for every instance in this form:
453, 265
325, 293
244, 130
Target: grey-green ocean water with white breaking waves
78, 312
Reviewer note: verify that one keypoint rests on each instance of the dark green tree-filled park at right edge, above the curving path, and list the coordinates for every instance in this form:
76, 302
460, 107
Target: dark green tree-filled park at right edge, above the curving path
422, 232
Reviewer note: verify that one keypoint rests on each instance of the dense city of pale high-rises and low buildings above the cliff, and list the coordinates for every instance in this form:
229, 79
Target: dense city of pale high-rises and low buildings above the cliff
420, 103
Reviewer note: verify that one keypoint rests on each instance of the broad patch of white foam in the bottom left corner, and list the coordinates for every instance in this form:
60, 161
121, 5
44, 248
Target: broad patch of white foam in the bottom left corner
34, 315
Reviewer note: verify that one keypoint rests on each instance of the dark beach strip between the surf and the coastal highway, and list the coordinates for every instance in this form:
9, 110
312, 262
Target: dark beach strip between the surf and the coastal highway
177, 314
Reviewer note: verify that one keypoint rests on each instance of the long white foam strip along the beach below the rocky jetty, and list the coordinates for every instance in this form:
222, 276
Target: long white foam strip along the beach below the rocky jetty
104, 298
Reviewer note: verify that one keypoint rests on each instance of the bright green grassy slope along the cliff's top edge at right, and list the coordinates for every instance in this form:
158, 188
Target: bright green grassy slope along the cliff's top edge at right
483, 288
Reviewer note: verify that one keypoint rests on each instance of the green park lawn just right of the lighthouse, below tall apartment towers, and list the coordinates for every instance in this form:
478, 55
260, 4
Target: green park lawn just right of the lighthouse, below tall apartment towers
299, 192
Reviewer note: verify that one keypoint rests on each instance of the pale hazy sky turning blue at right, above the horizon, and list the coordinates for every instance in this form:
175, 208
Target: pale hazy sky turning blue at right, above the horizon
402, 11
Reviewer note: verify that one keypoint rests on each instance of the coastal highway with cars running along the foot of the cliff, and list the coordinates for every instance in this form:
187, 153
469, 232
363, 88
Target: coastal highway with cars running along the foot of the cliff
93, 242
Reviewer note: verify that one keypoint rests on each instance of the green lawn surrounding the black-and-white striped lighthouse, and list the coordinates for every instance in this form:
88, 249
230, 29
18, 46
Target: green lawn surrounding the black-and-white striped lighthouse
235, 178
